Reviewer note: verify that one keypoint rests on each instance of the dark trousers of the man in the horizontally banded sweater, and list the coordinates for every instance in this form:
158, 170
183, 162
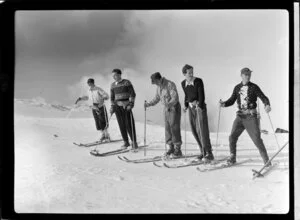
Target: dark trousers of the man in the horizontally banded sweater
126, 123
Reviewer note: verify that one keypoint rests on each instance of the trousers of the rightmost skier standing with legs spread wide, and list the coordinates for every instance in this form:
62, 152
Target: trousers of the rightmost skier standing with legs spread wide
251, 124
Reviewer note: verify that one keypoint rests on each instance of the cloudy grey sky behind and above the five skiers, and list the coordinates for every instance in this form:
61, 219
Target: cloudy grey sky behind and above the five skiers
57, 51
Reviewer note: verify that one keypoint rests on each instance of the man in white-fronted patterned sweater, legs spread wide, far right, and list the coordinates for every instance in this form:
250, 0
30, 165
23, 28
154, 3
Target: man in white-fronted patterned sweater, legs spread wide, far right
246, 94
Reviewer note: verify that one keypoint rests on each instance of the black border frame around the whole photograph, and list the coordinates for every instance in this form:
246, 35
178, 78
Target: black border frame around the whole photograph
7, 61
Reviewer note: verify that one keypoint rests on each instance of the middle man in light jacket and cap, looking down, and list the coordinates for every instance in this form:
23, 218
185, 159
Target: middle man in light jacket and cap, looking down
167, 93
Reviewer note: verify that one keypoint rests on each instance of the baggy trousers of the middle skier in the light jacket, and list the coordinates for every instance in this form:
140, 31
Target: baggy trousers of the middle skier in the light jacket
172, 125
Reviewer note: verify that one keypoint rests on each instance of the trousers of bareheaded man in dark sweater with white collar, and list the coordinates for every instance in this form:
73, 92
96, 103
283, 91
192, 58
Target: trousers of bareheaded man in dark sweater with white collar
199, 126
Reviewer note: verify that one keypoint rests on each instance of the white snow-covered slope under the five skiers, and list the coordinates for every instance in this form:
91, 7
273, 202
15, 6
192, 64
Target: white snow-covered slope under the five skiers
52, 175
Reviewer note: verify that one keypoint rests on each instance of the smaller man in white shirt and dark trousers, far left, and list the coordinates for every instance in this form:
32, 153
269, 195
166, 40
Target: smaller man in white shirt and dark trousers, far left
96, 96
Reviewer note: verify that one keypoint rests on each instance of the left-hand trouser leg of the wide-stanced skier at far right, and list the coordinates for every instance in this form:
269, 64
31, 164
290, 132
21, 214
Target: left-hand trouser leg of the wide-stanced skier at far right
236, 131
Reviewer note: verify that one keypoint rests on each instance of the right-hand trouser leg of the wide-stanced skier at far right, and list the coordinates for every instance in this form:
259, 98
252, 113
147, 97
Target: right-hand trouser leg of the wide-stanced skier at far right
251, 124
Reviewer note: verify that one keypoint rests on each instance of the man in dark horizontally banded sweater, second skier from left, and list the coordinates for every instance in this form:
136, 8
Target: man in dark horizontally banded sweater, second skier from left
122, 102
